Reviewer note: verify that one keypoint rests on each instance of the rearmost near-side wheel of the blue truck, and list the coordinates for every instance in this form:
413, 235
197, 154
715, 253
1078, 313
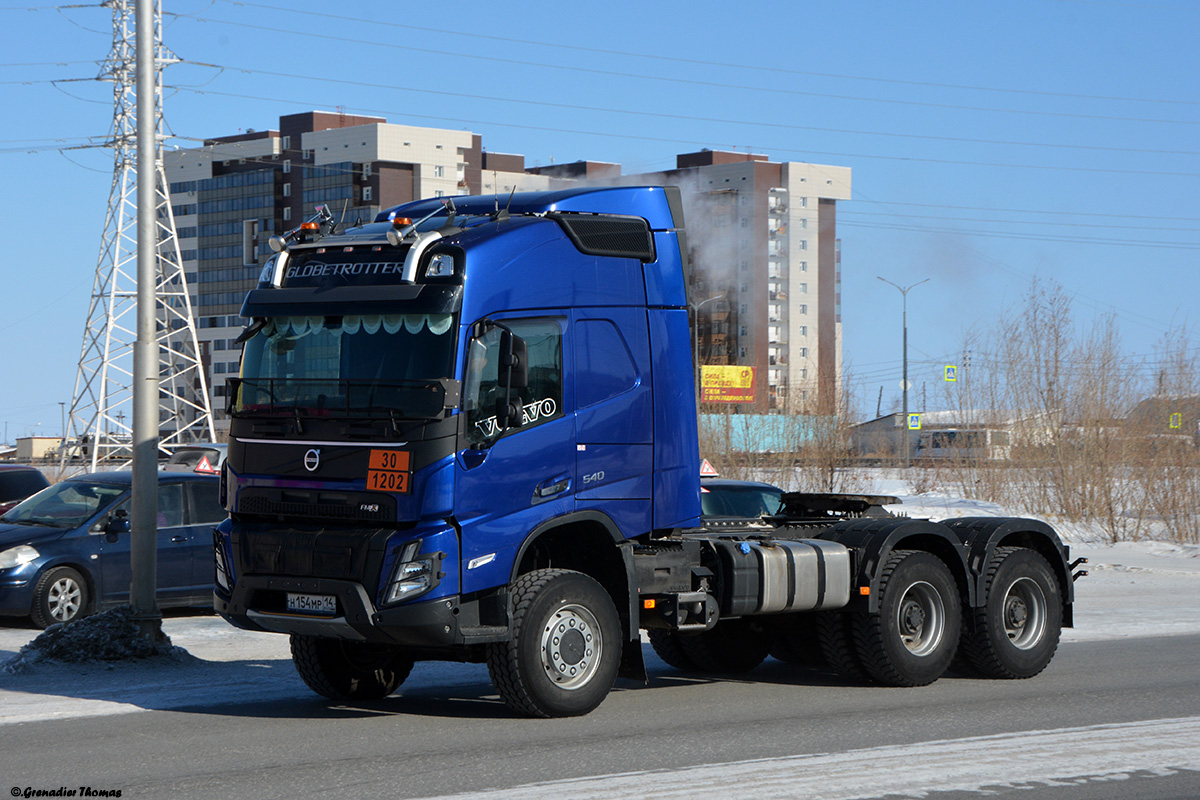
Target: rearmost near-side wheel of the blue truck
1016, 633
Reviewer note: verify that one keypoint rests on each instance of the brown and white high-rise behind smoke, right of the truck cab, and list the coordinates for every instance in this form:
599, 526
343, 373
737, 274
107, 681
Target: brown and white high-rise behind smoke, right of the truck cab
766, 278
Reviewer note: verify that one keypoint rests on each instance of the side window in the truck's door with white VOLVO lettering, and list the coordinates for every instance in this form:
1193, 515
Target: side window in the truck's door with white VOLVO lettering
542, 400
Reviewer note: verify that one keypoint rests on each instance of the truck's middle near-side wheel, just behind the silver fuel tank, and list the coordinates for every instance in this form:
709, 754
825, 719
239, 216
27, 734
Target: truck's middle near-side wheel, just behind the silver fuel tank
914, 637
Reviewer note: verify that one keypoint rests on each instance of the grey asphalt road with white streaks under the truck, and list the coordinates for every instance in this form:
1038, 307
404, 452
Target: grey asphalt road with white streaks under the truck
1107, 720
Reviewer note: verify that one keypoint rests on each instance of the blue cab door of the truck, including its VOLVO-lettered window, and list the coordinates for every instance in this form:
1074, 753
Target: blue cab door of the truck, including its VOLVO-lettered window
509, 482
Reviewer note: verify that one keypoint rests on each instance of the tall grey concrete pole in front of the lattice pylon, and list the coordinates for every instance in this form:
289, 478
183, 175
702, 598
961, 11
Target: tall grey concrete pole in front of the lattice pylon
143, 508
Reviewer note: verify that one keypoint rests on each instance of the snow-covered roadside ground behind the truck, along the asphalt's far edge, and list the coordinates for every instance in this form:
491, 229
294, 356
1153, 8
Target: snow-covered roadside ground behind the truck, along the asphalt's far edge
1136, 590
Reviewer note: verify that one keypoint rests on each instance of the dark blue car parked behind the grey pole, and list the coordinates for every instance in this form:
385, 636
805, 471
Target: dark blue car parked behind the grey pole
65, 552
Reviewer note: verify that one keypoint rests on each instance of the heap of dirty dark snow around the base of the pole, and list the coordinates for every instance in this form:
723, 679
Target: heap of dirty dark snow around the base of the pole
109, 636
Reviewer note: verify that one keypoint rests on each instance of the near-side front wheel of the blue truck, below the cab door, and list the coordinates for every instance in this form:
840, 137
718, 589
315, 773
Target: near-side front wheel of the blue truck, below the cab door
566, 646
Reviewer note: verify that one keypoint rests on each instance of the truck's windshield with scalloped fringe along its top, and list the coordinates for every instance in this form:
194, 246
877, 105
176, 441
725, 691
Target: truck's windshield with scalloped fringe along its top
352, 364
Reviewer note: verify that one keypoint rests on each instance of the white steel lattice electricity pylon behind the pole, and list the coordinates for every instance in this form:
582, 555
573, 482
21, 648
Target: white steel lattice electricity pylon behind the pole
101, 420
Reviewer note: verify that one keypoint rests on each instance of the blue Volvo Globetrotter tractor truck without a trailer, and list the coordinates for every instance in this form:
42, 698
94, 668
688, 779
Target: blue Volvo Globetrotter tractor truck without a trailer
467, 431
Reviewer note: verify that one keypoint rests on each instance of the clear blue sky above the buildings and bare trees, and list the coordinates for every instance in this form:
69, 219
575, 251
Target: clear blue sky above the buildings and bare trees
991, 143
